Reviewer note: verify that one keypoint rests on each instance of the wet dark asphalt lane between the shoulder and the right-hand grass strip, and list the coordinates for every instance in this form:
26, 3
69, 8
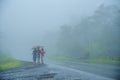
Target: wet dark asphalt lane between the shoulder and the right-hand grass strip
110, 71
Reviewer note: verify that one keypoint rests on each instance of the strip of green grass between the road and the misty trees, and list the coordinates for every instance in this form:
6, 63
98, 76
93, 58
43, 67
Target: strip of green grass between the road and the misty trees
91, 60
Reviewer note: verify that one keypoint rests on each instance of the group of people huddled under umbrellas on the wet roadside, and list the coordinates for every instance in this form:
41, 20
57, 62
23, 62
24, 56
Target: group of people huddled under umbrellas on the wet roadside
38, 53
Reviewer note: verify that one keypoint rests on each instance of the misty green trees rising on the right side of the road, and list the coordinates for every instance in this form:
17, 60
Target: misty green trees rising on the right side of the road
97, 35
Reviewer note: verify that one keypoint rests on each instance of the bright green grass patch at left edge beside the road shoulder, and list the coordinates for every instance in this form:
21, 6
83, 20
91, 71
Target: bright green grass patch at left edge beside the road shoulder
9, 63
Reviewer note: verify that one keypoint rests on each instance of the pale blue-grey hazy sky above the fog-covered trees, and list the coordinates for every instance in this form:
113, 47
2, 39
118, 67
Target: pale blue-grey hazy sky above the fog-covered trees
24, 22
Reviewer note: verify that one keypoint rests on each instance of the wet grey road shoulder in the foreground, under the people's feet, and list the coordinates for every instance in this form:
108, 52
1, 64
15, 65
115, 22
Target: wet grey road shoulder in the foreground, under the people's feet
32, 71
